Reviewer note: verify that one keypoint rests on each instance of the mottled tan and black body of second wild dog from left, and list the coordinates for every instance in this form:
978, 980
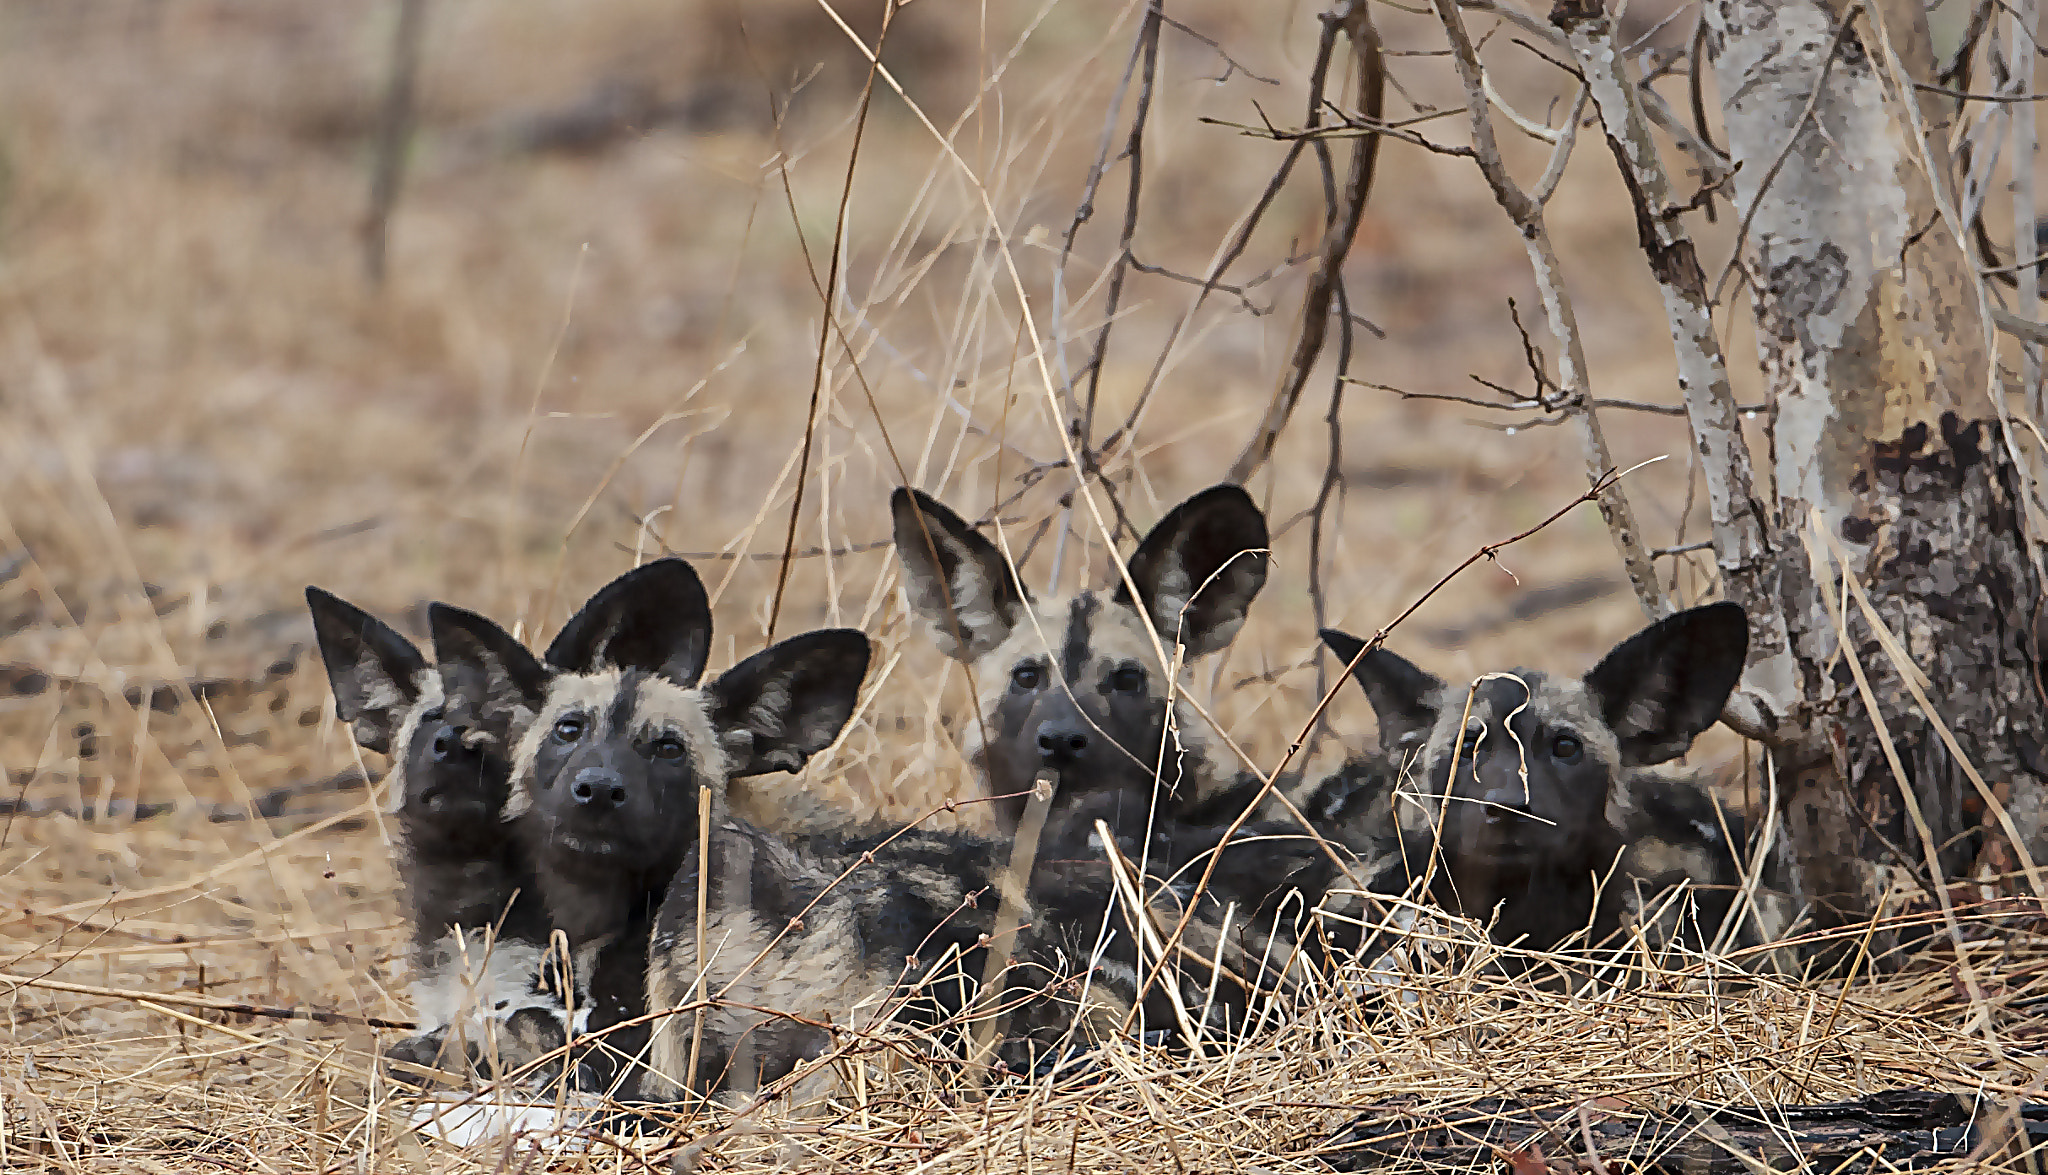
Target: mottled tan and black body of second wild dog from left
892, 928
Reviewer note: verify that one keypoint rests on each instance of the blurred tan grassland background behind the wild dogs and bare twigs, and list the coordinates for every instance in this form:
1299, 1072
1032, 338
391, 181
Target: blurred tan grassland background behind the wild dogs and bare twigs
597, 339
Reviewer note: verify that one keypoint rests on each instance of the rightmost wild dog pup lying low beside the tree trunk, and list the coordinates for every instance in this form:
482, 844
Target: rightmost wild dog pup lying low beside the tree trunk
1555, 783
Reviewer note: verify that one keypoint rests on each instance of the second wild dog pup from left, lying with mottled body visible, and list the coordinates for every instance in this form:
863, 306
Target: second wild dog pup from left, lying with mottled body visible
613, 771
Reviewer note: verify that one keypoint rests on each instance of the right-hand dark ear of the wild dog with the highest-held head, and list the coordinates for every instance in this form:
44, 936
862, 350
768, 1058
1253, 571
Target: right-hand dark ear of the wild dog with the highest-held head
1199, 570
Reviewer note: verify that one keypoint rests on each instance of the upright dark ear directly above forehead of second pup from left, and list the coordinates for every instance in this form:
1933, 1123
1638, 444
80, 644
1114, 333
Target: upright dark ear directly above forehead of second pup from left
652, 619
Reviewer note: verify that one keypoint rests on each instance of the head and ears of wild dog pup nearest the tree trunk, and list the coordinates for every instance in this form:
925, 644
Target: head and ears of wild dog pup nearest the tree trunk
1539, 758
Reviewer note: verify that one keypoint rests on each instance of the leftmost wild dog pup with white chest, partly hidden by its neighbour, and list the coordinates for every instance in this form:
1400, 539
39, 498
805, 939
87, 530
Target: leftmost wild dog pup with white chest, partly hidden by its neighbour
478, 924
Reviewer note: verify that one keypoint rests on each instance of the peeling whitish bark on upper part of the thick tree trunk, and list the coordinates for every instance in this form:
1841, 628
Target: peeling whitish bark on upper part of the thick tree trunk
1857, 341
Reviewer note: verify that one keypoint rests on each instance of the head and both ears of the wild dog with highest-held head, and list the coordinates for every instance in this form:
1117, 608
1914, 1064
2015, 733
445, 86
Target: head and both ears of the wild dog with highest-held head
1074, 685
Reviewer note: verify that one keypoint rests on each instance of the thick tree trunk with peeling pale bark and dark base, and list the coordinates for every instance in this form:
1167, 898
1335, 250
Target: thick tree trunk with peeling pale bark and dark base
1883, 433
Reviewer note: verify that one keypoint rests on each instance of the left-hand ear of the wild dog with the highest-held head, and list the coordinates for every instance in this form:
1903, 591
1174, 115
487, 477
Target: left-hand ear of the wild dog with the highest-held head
957, 580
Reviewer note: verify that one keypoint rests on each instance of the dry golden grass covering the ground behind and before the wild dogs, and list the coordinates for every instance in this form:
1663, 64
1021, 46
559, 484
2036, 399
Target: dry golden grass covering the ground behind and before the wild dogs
585, 357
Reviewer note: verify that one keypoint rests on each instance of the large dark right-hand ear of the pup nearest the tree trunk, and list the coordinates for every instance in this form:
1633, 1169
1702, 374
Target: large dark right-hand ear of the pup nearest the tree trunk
1668, 683
